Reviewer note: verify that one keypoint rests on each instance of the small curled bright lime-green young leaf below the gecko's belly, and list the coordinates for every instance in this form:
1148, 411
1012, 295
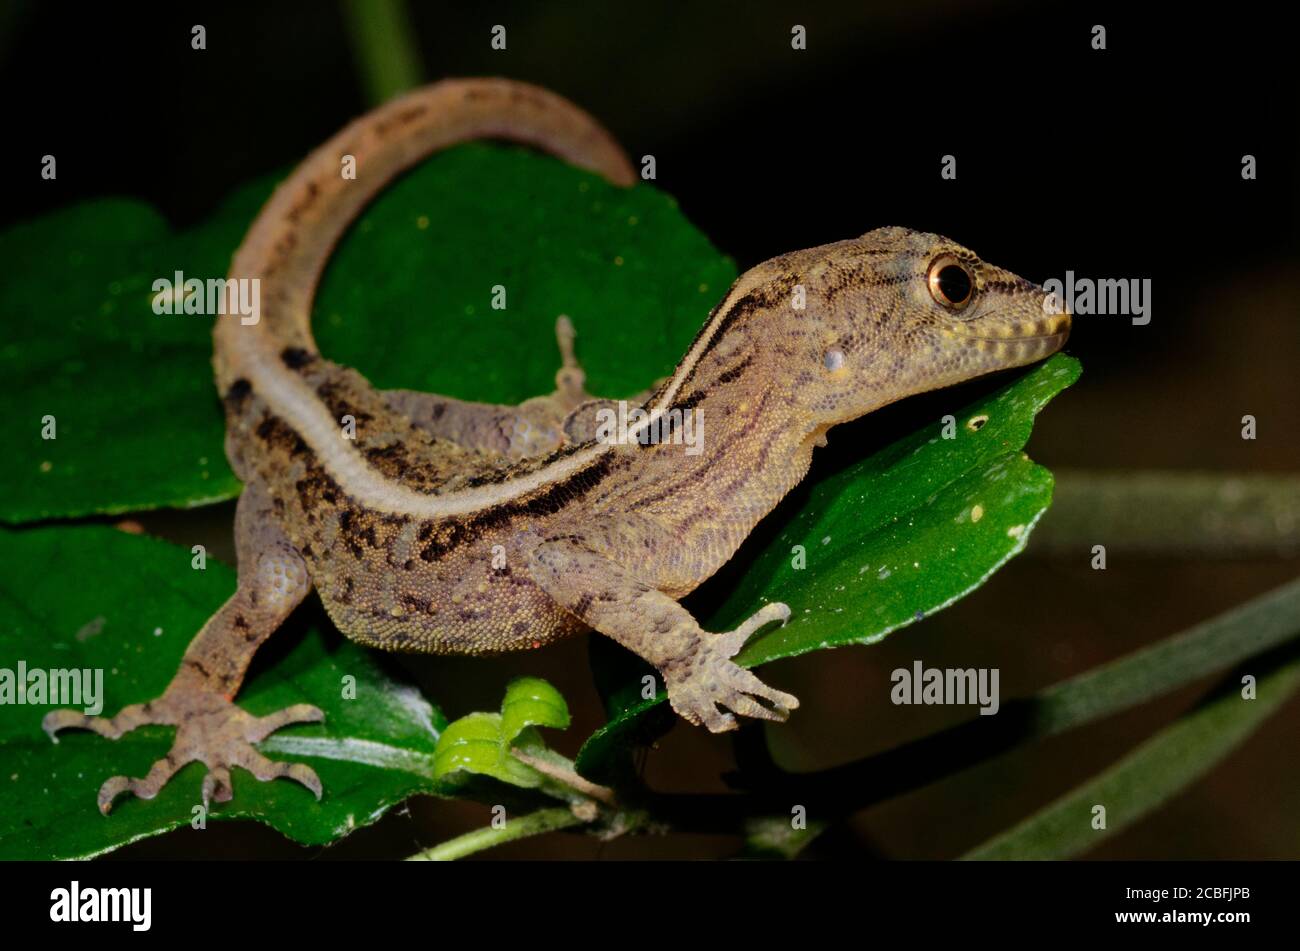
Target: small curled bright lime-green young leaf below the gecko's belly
483, 744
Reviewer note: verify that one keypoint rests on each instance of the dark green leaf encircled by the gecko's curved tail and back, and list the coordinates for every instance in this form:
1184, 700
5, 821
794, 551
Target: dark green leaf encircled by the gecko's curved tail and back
408, 298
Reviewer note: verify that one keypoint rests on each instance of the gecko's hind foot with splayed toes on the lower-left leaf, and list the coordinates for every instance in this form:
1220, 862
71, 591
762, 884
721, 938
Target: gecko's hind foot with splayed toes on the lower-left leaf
210, 729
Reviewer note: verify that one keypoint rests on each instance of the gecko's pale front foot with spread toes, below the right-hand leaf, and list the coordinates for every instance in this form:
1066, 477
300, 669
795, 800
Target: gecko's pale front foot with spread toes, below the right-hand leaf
705, 679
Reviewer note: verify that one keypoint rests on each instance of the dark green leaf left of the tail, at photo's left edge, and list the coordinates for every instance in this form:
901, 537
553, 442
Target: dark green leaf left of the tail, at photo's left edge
129, 393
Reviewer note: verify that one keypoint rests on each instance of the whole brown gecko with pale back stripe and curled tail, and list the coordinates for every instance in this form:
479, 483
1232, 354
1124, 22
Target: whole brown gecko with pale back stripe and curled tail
448, 527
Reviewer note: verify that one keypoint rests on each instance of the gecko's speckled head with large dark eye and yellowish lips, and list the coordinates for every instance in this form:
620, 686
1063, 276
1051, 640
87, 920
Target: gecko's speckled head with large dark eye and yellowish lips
900, 312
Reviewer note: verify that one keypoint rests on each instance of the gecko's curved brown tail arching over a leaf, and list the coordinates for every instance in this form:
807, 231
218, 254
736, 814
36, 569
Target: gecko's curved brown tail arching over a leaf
292, 240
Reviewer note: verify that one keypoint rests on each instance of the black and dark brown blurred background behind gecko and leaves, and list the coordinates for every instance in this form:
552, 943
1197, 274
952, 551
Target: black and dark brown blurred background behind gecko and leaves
1117, 163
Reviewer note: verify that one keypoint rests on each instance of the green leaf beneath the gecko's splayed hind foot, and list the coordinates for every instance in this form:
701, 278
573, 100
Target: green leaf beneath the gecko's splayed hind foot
99, 600
